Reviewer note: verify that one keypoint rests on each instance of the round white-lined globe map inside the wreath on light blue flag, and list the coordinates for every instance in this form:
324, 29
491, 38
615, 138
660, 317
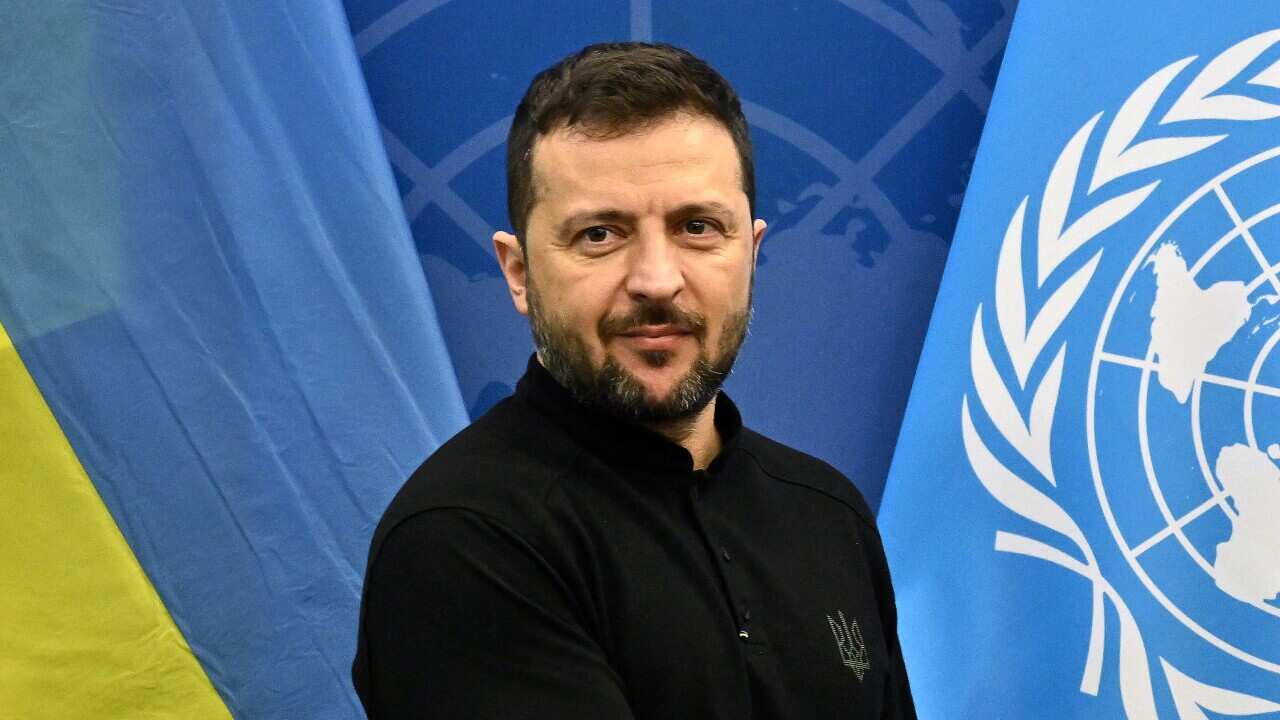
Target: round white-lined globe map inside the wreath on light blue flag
1214, 530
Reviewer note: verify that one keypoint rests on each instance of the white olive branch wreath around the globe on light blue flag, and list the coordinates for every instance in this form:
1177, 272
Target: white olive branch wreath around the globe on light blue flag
1027, 341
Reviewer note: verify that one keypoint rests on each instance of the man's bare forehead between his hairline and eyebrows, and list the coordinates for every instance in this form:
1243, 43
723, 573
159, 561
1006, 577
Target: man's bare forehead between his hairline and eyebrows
657, 162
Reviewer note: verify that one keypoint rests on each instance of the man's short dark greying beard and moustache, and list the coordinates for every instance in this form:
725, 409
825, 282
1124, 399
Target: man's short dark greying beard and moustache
614, 389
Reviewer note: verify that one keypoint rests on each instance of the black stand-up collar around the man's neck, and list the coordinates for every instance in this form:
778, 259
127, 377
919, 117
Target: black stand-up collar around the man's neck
621, 443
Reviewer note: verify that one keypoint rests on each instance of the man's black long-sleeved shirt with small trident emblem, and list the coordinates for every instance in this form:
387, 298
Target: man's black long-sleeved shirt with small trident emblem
554, 563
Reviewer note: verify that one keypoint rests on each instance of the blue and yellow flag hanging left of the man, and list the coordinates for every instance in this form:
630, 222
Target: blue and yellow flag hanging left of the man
218, 358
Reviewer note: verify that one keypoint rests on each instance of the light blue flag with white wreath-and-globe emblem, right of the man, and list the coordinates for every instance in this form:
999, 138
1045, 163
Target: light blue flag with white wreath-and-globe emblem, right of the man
1082, 513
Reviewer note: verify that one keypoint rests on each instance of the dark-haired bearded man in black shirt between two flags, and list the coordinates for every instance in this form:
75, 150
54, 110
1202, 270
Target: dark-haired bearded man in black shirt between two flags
610, 543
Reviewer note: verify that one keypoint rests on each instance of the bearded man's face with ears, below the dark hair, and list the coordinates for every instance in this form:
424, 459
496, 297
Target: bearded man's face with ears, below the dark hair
638, 265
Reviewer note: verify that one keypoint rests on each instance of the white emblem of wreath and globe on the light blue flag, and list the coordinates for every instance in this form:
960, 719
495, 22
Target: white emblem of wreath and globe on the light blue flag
1182, 412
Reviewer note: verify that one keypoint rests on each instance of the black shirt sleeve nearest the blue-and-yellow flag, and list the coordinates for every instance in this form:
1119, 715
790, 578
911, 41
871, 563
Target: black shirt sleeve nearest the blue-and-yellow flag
464, 618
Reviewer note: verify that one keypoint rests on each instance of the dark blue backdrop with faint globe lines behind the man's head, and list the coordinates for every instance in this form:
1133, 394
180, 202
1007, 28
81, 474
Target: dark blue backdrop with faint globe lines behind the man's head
865, 117
